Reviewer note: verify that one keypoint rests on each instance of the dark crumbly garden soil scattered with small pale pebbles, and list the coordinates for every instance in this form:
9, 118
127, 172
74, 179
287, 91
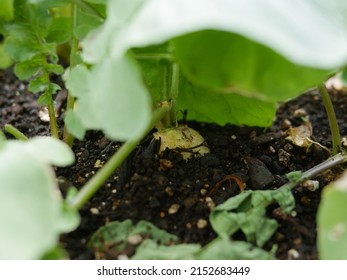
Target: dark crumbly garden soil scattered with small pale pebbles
178, 196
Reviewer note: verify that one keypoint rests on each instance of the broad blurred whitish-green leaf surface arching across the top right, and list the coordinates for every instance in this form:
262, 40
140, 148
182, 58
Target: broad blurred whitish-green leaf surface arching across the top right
298, 38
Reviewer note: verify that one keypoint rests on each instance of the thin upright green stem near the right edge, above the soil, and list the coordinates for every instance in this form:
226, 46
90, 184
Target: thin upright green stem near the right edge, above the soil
334, 128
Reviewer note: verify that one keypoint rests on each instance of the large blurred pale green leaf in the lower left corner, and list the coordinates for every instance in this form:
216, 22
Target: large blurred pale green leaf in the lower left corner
32, 212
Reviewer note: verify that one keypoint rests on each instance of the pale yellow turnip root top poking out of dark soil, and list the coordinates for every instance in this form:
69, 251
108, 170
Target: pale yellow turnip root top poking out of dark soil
182, 139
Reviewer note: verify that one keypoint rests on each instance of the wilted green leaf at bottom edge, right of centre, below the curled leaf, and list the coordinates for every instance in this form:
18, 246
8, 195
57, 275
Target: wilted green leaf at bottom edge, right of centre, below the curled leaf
226, 249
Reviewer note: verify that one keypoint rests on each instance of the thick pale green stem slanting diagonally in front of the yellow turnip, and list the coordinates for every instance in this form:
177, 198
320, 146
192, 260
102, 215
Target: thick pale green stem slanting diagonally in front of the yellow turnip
93, 185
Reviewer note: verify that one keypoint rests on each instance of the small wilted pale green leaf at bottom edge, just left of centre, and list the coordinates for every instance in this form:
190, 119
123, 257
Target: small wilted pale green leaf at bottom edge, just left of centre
150, 250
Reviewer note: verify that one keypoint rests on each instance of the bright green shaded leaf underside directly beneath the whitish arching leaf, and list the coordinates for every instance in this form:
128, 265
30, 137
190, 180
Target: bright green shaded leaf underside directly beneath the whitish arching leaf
230, 63
